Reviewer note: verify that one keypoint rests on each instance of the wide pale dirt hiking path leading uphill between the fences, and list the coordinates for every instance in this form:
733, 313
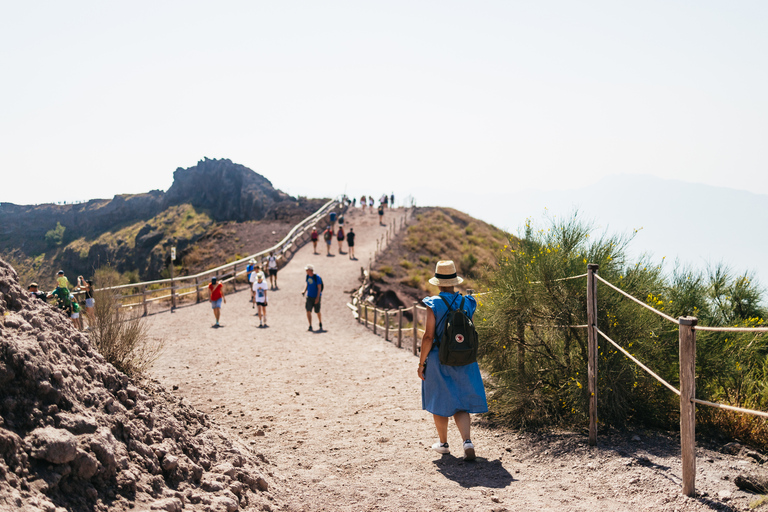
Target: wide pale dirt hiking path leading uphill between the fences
338, 416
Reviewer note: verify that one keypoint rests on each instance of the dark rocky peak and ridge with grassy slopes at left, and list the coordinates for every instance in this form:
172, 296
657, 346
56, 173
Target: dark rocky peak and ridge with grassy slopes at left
133, 233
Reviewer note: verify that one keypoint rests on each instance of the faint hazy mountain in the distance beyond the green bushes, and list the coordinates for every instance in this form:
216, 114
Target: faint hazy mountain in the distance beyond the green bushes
693, 223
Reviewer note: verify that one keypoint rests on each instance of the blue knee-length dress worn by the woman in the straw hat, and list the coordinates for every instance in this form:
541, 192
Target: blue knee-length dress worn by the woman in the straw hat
447, 390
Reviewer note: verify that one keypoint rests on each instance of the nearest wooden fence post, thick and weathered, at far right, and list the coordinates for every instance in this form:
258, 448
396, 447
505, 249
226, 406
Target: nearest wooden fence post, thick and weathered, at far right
687, 407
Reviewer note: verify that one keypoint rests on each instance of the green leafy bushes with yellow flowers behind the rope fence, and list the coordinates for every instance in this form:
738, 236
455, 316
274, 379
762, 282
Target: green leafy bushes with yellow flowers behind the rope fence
539, 367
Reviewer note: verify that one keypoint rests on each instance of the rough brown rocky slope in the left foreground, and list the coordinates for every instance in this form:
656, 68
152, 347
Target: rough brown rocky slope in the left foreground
76, 432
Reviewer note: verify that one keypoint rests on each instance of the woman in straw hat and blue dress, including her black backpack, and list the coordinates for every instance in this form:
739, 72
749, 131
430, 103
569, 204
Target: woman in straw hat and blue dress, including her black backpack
450, 386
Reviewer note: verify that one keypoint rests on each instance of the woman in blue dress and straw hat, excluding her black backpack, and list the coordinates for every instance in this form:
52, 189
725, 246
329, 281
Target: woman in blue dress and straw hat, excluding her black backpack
448, 390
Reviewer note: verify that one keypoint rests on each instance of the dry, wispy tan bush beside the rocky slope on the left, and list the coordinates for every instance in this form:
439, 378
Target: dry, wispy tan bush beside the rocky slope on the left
121, 336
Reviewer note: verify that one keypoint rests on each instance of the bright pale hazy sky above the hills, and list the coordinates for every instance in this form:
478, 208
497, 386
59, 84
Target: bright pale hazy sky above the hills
100, 98
